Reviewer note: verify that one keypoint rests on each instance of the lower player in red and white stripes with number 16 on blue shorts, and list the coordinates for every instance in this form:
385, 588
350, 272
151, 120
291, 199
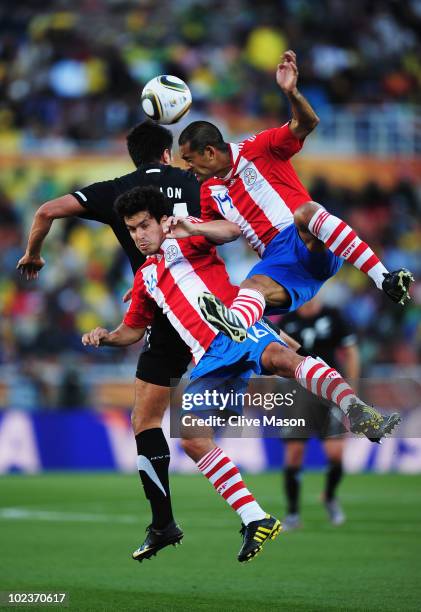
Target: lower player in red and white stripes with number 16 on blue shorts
182, 264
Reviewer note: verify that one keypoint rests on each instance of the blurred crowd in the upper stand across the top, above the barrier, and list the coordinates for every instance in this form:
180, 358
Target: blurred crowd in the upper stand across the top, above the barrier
73, 71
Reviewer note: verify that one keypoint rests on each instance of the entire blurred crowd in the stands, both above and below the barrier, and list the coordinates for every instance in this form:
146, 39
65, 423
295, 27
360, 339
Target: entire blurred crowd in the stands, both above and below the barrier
71, 76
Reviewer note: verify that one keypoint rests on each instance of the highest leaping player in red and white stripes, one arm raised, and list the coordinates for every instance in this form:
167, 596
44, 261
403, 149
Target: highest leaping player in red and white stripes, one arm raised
254, 185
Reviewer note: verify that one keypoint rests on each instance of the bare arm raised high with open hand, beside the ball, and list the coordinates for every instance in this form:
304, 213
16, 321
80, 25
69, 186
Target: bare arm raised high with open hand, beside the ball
304, 119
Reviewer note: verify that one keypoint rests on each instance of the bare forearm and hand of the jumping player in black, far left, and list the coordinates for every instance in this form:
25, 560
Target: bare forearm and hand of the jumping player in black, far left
65, 206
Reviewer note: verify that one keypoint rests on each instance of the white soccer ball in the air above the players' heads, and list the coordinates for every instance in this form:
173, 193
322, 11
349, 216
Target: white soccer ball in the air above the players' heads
166, 99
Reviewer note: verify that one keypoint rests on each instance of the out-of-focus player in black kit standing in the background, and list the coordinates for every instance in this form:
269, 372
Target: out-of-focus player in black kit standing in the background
324, 332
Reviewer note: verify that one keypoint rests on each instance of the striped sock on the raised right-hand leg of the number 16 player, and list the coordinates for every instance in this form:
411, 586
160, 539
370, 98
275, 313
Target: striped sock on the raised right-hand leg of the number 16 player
324, 381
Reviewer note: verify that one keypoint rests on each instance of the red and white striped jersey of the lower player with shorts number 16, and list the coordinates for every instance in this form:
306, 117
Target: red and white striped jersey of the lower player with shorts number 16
173, 280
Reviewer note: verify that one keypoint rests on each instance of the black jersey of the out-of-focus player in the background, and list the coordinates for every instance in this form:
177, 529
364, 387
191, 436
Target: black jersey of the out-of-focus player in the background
322, 334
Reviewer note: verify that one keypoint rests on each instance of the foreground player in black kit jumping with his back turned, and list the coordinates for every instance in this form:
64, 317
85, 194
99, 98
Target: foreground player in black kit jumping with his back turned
164, 356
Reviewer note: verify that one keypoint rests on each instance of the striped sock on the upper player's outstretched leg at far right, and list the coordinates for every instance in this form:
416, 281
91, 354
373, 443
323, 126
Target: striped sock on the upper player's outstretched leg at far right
341, 239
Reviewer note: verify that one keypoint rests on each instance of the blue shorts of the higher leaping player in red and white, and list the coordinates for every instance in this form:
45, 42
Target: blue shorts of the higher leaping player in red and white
288, 261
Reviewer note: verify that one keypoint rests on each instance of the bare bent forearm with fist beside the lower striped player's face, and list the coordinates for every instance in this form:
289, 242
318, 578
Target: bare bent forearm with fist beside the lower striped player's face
218, 232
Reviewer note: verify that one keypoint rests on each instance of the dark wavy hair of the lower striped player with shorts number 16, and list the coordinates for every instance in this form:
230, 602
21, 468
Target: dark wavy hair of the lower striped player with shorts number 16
140, 199
